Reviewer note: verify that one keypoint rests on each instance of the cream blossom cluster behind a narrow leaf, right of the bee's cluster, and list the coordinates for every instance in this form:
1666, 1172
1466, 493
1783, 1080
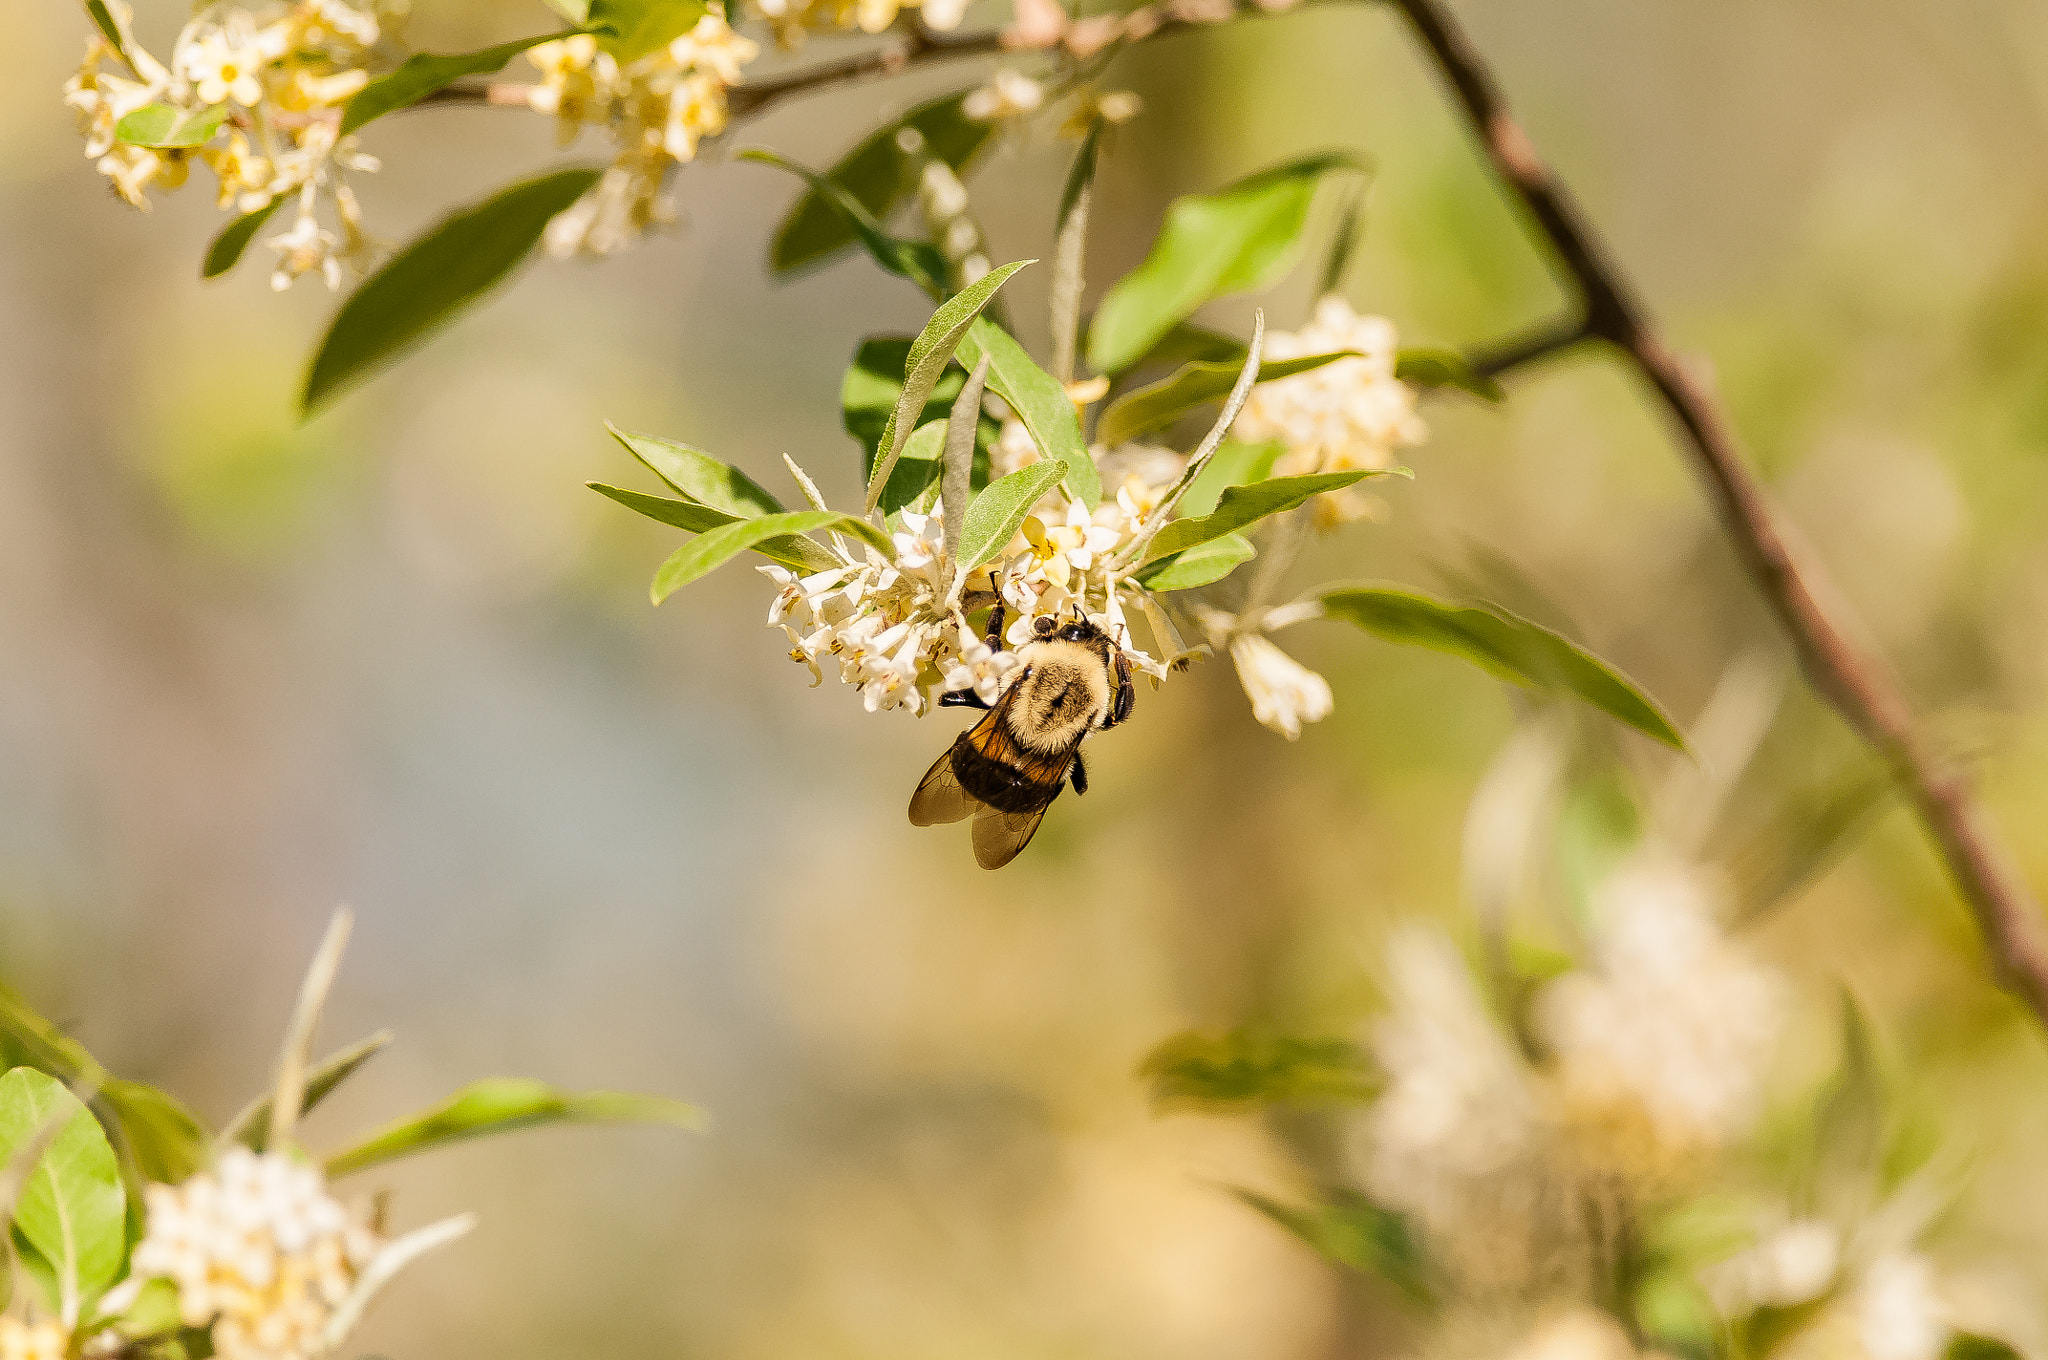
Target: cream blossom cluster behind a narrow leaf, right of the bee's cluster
1347, 415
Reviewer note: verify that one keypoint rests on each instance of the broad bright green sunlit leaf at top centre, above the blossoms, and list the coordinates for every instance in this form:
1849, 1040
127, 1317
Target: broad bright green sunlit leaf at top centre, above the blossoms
1238, 239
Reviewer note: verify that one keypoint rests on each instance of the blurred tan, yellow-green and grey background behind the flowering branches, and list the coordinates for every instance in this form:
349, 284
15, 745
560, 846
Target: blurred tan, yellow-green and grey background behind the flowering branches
402, 658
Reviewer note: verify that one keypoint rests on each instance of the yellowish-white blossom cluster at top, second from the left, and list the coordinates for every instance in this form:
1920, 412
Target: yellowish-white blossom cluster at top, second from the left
656, 110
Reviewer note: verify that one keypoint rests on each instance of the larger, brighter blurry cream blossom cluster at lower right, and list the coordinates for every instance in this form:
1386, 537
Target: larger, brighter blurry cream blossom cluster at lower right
1662, 1046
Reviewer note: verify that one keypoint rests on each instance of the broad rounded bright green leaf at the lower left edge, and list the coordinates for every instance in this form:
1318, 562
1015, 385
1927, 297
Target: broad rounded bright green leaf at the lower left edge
73, 1207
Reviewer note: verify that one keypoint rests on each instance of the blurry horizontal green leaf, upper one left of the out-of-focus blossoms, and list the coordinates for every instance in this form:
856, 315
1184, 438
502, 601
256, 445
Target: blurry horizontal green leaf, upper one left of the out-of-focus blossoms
1254, 1068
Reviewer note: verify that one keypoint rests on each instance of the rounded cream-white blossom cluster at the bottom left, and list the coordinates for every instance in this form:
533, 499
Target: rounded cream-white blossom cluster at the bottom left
257, 1248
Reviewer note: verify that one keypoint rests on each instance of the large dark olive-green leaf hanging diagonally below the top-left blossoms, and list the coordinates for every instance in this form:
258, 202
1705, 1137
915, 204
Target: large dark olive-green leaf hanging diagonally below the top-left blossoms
435, 278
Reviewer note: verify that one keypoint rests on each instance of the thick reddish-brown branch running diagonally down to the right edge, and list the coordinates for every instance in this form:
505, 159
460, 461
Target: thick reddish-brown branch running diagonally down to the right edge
1836, 658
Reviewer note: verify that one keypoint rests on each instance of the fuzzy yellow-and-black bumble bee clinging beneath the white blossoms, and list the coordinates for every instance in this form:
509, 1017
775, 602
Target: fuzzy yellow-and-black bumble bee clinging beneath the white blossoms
1007, 769
